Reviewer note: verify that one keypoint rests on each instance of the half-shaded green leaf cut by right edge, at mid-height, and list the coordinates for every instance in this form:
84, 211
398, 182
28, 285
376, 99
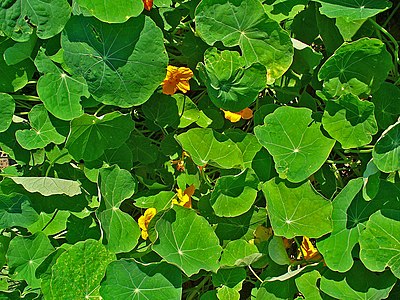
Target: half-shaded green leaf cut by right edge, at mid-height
386, 151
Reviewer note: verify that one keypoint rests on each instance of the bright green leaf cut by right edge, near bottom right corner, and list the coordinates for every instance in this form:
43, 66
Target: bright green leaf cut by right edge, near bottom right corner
380, 244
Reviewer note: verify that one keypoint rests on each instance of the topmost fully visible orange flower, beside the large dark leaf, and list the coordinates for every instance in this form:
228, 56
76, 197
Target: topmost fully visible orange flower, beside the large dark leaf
176, 79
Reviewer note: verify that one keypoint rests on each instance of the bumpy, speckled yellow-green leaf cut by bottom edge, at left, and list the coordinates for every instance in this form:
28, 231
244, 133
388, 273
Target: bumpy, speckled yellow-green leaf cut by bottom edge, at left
86, 263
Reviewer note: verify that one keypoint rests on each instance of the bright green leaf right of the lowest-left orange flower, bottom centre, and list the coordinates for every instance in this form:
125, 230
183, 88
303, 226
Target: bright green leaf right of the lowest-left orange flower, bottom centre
178, 241
